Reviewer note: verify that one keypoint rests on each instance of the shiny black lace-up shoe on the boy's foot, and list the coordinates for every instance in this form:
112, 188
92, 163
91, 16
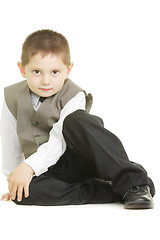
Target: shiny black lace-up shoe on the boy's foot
138, 197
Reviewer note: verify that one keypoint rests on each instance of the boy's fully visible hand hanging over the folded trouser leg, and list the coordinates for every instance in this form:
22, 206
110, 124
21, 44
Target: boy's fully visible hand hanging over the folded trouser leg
19, 180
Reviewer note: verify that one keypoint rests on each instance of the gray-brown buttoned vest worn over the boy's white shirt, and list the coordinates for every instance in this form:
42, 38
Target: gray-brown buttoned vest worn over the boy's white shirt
33, 127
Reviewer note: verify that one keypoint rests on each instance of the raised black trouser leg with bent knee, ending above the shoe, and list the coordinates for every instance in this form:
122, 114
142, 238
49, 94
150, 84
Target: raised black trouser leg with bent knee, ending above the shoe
86, 134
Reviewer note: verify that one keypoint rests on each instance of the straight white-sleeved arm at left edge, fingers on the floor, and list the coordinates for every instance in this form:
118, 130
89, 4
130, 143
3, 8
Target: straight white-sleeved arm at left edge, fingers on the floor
12, 155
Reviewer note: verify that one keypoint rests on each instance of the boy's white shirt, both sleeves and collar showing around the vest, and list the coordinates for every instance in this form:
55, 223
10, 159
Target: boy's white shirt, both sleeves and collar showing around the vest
48, 153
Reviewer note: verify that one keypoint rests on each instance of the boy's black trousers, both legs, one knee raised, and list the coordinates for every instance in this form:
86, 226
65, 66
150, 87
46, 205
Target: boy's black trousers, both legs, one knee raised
94, 168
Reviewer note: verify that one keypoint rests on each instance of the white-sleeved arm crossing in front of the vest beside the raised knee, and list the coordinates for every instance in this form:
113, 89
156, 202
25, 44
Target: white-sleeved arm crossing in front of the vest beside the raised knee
49, 153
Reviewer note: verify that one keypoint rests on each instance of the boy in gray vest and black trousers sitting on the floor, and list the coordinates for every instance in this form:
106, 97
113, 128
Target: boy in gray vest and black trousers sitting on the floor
54, 151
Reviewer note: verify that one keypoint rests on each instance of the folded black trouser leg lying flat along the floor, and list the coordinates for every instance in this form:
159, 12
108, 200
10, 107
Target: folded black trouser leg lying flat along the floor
45, 190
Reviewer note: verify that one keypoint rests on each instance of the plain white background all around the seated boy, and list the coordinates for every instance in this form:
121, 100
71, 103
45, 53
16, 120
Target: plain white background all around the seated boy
115, 47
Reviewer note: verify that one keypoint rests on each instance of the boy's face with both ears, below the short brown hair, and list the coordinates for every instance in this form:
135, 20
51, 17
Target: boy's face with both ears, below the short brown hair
45, 76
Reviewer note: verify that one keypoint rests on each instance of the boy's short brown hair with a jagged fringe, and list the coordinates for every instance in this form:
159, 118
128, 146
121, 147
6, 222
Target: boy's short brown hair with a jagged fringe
45, 42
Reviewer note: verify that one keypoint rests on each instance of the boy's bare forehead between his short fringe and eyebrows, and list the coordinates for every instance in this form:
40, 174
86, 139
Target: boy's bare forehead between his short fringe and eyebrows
46, 61
